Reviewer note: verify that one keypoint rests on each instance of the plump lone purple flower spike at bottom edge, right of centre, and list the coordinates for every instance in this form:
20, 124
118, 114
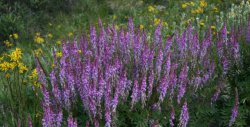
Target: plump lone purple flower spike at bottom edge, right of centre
184, 117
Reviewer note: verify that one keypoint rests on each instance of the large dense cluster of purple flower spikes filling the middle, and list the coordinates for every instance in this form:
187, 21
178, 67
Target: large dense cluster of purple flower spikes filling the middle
113, 67
